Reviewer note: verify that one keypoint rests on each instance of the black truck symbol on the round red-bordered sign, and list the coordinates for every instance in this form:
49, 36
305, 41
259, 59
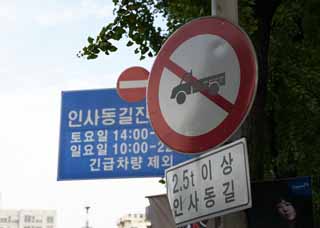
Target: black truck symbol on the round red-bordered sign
189, 86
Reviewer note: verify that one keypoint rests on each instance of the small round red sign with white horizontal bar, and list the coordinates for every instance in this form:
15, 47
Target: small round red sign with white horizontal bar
132, 83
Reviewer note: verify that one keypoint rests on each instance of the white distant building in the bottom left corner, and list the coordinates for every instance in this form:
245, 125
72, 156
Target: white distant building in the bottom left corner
27, 219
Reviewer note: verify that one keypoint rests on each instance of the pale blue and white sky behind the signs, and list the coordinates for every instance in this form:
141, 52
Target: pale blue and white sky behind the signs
38, 43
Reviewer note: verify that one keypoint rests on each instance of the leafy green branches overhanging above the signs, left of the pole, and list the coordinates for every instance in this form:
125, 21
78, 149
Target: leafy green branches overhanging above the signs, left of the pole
137, 20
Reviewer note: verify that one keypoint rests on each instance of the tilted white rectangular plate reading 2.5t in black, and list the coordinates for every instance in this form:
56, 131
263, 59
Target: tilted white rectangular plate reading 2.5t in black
213, 184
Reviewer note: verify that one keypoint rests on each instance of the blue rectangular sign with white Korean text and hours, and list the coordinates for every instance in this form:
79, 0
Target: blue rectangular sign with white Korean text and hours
103, 136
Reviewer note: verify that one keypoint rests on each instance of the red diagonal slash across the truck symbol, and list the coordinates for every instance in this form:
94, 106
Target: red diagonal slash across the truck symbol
217, 99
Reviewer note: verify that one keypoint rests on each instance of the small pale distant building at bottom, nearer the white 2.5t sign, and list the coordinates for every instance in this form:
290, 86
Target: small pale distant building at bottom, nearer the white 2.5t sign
133, 221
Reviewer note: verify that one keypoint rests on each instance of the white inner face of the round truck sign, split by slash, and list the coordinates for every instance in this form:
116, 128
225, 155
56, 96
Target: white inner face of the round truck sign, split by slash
213, 61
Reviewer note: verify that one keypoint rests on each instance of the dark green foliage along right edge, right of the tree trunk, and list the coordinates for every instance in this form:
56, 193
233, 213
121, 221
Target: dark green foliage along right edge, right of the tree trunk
294, 100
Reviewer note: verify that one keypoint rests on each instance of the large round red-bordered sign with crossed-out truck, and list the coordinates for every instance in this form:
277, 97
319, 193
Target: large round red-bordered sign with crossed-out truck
202, 85
